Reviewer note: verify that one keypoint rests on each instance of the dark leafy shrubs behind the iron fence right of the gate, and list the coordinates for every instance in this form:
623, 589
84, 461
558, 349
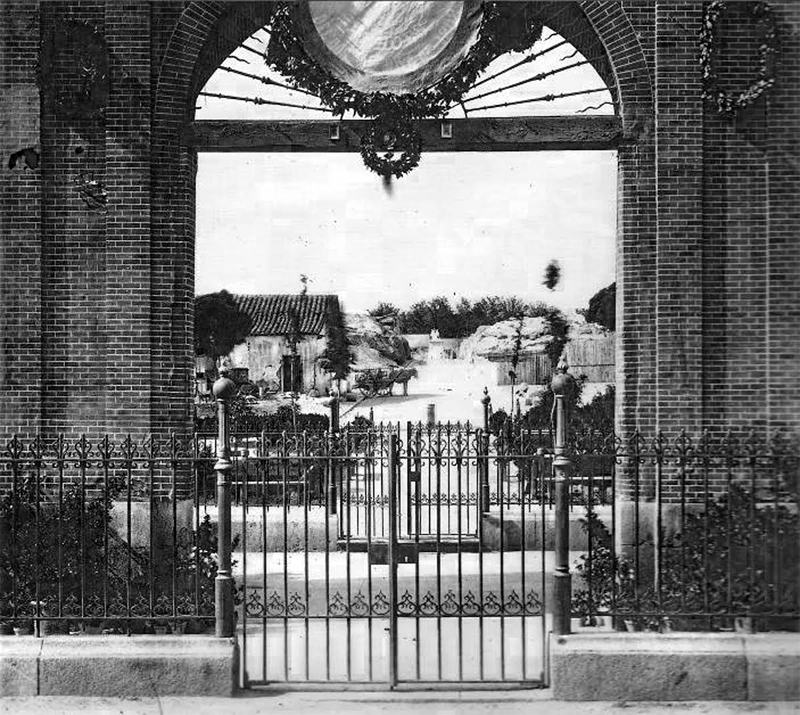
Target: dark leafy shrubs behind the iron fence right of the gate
738, 557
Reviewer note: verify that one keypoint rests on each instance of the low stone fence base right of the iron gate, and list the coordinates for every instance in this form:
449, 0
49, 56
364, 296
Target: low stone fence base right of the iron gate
675, 666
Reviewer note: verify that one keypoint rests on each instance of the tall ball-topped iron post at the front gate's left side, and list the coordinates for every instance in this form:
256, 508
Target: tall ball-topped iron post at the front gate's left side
224, 390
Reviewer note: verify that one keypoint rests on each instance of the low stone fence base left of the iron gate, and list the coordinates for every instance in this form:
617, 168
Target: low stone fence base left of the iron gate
119, 666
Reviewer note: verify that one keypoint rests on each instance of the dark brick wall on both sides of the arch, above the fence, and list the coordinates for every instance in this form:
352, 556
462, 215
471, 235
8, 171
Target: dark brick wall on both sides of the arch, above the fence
96, 278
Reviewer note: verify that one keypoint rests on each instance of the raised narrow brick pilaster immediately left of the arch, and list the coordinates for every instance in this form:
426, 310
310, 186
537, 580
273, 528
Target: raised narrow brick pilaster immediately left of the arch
127, 294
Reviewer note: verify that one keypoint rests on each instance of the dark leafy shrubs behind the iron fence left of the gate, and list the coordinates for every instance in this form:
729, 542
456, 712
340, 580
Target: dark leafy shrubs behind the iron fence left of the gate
66, 551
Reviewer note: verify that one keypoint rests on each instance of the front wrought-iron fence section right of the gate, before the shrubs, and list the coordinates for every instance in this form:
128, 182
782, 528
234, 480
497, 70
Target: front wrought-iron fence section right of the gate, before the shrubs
704, 534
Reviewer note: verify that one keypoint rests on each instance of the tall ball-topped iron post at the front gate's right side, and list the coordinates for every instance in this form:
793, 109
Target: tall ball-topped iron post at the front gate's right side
562, 579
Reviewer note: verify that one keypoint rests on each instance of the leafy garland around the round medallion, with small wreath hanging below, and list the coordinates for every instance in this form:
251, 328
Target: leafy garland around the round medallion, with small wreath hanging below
397, 115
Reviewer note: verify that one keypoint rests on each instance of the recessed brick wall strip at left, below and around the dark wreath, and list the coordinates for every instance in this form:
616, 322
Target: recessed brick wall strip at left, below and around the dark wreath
73, 234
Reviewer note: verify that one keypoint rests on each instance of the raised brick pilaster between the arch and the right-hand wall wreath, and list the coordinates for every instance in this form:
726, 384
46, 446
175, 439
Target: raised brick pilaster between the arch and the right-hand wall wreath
679, 225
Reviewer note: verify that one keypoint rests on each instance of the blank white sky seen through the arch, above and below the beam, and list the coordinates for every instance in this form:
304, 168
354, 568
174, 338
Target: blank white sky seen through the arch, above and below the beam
461, 224
